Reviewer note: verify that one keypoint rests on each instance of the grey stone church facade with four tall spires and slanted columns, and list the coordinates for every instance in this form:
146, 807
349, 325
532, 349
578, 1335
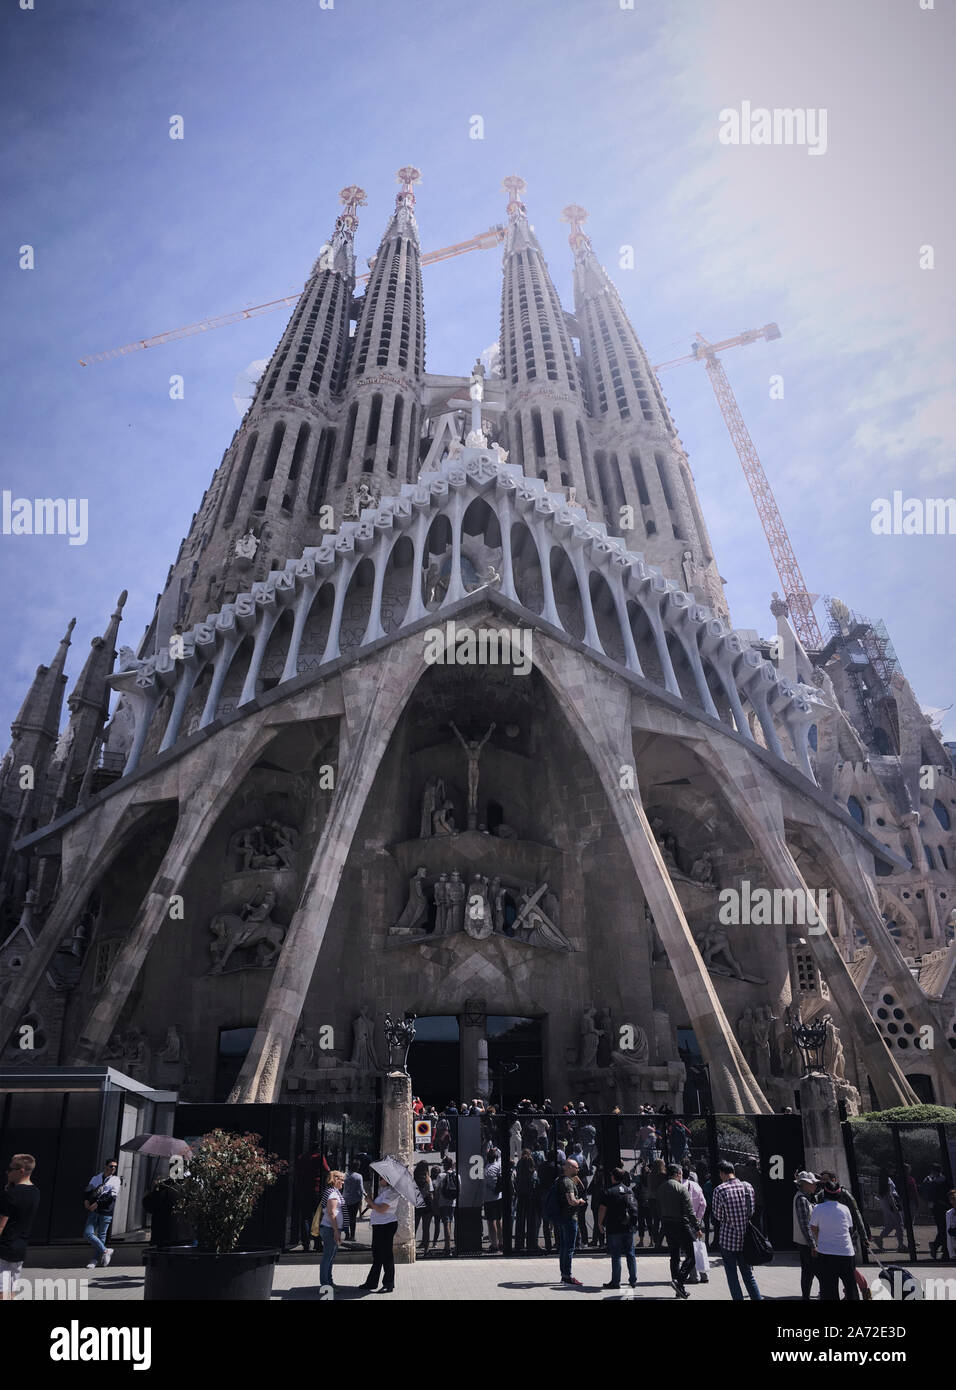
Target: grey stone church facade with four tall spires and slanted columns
441, 712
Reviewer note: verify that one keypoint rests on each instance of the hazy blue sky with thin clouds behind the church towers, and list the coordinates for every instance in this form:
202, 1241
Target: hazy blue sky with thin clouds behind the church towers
284, 104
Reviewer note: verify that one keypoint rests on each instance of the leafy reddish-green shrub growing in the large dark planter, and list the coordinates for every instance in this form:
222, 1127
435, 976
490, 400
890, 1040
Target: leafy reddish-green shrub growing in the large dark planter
227, 1177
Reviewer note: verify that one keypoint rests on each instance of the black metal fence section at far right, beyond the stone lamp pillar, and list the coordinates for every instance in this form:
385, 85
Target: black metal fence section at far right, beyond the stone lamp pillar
891, 1166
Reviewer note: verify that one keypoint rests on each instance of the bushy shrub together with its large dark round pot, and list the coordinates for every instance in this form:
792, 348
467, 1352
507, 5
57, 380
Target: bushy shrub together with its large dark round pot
227, 1177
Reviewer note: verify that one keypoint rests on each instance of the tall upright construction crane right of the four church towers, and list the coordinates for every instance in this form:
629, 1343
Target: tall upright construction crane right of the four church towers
789, 569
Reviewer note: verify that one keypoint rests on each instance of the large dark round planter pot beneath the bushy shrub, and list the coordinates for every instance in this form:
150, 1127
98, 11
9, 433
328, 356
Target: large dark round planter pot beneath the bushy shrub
186, 1274
